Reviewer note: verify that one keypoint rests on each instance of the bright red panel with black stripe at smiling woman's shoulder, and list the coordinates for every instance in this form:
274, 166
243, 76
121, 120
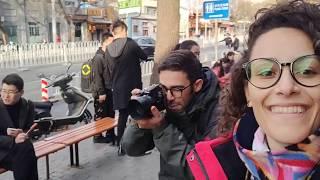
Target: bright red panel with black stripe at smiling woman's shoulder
203, 162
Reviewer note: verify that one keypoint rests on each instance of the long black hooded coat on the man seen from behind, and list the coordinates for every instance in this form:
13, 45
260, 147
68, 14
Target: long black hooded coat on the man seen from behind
125, 54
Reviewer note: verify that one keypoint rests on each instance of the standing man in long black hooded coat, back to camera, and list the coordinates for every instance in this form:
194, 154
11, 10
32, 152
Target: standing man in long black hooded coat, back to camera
126, 75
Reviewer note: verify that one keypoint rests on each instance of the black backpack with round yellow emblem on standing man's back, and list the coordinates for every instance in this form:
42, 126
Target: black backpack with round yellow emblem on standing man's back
87, 76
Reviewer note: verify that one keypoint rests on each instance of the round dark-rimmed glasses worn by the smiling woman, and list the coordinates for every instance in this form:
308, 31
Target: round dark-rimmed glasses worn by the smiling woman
266, 72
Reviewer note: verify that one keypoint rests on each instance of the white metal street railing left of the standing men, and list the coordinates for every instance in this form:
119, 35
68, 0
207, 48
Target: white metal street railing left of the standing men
24, 55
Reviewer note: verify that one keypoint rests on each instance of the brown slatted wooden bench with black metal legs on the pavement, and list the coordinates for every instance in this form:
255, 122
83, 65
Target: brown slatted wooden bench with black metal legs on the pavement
70, 138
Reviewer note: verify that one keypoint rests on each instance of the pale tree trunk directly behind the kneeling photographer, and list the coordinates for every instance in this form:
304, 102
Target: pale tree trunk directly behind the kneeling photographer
168, 20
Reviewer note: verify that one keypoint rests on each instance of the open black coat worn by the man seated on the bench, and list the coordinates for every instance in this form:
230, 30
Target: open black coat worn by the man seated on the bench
26, 117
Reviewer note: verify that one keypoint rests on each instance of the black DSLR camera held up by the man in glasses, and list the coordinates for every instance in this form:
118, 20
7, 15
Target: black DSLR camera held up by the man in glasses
139, 107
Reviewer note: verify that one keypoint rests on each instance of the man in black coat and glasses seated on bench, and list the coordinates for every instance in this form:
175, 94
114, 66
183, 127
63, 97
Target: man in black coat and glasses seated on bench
16, 150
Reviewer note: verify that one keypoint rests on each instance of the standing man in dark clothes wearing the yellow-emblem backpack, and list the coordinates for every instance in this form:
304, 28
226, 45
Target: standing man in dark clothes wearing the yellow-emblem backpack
102, 86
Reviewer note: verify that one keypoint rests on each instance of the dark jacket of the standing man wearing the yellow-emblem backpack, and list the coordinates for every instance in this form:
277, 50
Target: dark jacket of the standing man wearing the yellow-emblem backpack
102, 73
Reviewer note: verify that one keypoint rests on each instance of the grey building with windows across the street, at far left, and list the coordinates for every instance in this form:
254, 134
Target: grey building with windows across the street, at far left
30, 21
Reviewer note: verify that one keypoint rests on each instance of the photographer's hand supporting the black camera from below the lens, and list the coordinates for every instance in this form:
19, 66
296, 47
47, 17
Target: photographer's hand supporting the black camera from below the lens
154, 122
